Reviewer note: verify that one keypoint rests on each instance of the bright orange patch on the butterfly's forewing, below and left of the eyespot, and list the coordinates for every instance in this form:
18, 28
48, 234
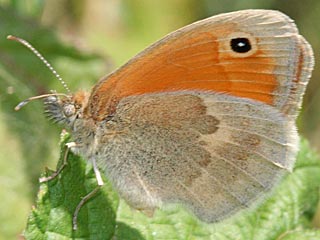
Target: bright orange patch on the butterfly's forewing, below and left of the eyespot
191, 61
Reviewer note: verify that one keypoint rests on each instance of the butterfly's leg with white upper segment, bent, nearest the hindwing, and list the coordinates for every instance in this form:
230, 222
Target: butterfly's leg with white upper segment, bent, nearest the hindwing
89, 195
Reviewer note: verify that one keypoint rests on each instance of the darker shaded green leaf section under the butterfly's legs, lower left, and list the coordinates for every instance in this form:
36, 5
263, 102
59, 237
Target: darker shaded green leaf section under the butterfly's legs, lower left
59, 197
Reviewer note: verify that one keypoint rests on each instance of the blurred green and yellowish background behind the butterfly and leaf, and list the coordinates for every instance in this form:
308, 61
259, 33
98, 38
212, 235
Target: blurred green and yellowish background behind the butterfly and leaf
84, 40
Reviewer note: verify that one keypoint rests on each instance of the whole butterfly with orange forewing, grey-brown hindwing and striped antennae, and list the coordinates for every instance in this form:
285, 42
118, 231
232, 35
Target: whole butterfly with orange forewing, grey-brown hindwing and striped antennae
204, 117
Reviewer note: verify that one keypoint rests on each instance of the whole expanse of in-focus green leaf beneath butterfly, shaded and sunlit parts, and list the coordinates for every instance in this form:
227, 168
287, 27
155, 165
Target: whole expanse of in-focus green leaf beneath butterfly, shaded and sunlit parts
287, 214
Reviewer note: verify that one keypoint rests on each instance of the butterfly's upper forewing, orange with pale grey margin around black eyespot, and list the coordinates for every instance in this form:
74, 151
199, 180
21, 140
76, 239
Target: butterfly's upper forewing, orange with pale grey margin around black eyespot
199, 57
